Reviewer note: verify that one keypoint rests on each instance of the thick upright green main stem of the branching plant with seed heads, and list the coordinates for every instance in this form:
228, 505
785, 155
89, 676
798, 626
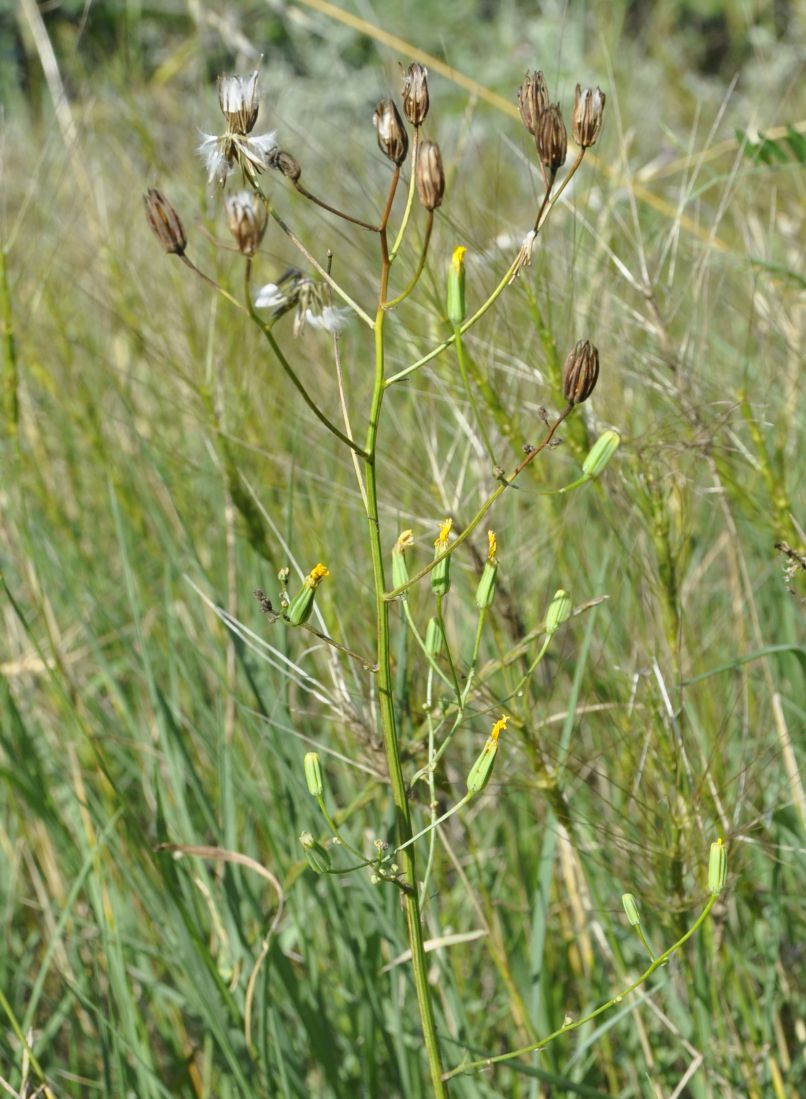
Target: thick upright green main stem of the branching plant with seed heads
411, 898
